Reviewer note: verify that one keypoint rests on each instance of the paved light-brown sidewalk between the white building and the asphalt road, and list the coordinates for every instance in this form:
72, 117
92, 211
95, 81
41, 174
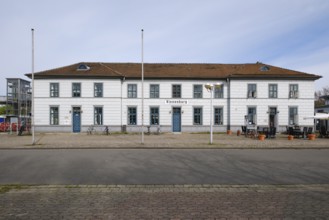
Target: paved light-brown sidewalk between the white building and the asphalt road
165, 140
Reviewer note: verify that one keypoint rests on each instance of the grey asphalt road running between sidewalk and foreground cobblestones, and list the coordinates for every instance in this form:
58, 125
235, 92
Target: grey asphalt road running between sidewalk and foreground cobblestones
108, 166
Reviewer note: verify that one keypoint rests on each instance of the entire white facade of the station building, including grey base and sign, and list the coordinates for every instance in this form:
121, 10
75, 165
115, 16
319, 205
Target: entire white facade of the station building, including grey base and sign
115, 103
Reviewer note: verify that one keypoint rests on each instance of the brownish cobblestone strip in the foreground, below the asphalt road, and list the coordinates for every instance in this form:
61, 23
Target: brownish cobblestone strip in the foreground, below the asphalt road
166, 202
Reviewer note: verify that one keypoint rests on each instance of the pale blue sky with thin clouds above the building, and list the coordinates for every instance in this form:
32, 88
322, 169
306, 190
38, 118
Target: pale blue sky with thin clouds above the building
292, 34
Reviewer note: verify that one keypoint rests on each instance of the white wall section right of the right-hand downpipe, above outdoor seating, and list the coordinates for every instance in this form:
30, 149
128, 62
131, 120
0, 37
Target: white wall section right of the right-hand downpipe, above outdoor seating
240, 102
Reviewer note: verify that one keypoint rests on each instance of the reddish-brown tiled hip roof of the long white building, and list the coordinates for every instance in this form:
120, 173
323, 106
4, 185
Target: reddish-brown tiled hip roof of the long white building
173, 71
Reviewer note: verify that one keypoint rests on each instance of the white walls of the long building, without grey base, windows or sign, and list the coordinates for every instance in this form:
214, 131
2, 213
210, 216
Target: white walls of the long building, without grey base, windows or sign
115, 107
